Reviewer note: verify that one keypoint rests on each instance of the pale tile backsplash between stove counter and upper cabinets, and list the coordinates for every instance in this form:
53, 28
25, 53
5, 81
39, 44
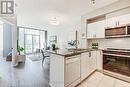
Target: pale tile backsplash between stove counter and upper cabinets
119, 43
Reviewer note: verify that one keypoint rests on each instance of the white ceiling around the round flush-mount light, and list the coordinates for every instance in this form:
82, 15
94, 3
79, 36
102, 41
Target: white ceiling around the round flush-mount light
66, 11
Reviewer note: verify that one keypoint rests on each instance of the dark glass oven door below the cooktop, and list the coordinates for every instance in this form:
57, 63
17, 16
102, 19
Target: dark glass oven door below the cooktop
118, 64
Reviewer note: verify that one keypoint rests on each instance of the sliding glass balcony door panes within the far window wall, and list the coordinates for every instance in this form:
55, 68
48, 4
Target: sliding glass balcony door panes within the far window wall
32, 42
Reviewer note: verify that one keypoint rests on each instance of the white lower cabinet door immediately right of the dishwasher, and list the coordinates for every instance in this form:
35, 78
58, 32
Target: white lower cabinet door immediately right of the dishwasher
88, 63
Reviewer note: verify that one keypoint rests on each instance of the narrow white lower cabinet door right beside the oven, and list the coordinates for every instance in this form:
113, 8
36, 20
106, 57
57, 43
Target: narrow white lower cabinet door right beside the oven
99, 60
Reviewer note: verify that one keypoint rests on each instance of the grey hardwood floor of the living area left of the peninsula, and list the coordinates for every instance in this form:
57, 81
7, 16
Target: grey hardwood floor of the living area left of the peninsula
30, 74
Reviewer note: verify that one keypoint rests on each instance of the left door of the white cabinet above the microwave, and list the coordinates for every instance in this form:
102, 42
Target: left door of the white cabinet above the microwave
111, 22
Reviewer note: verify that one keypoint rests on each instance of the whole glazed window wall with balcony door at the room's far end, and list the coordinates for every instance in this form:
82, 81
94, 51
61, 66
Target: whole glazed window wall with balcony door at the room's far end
31, 39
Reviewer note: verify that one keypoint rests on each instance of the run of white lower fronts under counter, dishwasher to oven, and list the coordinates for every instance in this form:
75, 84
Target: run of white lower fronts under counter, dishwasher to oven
79, 67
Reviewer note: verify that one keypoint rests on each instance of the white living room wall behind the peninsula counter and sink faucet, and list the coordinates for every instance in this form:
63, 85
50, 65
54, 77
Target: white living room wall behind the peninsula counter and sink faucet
63, 34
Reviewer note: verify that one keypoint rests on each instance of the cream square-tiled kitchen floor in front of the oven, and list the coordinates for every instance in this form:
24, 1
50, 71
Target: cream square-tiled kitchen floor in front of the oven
100, 80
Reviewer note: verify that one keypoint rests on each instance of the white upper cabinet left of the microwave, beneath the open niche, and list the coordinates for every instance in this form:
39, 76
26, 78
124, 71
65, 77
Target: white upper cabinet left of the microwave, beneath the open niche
96, 30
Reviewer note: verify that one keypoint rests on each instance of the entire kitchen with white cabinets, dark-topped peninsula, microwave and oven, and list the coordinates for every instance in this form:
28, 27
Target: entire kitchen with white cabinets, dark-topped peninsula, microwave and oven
105, 49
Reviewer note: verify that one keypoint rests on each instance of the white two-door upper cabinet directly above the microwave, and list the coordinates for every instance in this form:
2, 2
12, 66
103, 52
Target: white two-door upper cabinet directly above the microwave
118, 18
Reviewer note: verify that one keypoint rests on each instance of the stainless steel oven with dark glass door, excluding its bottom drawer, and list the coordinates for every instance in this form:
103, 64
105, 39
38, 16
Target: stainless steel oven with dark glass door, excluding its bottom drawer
117, 60
